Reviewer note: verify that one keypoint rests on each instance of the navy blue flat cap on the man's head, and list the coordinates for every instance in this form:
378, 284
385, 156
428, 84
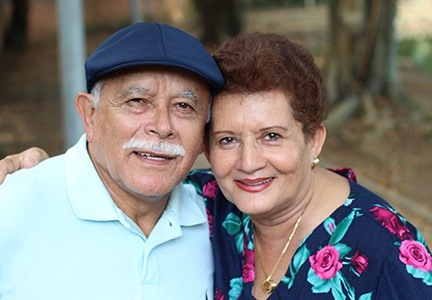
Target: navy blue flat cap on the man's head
152, 44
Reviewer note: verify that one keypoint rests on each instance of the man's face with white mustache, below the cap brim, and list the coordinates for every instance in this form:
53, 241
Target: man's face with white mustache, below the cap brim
153, 106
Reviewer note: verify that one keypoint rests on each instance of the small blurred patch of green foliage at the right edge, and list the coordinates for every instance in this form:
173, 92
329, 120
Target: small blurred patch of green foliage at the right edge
418, 51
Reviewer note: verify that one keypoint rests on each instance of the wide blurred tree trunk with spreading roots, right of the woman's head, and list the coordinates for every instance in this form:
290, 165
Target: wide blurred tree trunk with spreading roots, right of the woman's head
360, 66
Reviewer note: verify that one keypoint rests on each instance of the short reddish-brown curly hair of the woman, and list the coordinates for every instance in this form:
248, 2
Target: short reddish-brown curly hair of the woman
257, 62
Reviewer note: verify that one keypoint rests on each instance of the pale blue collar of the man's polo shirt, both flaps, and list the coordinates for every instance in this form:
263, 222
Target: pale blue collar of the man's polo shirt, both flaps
91, 200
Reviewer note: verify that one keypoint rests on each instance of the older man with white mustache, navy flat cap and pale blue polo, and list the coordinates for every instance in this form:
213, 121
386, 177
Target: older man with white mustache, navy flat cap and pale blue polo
108, 219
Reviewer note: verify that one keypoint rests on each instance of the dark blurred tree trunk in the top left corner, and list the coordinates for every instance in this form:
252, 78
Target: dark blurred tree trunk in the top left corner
16, 34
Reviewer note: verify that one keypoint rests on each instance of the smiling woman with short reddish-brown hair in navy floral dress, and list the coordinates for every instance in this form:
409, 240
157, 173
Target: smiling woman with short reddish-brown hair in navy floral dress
283, 227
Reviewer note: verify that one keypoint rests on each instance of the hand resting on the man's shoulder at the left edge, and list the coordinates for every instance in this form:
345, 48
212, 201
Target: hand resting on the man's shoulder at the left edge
26, 159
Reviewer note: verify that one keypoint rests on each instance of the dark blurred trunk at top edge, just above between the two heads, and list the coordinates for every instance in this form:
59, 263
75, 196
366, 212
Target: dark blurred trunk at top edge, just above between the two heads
220, 19
